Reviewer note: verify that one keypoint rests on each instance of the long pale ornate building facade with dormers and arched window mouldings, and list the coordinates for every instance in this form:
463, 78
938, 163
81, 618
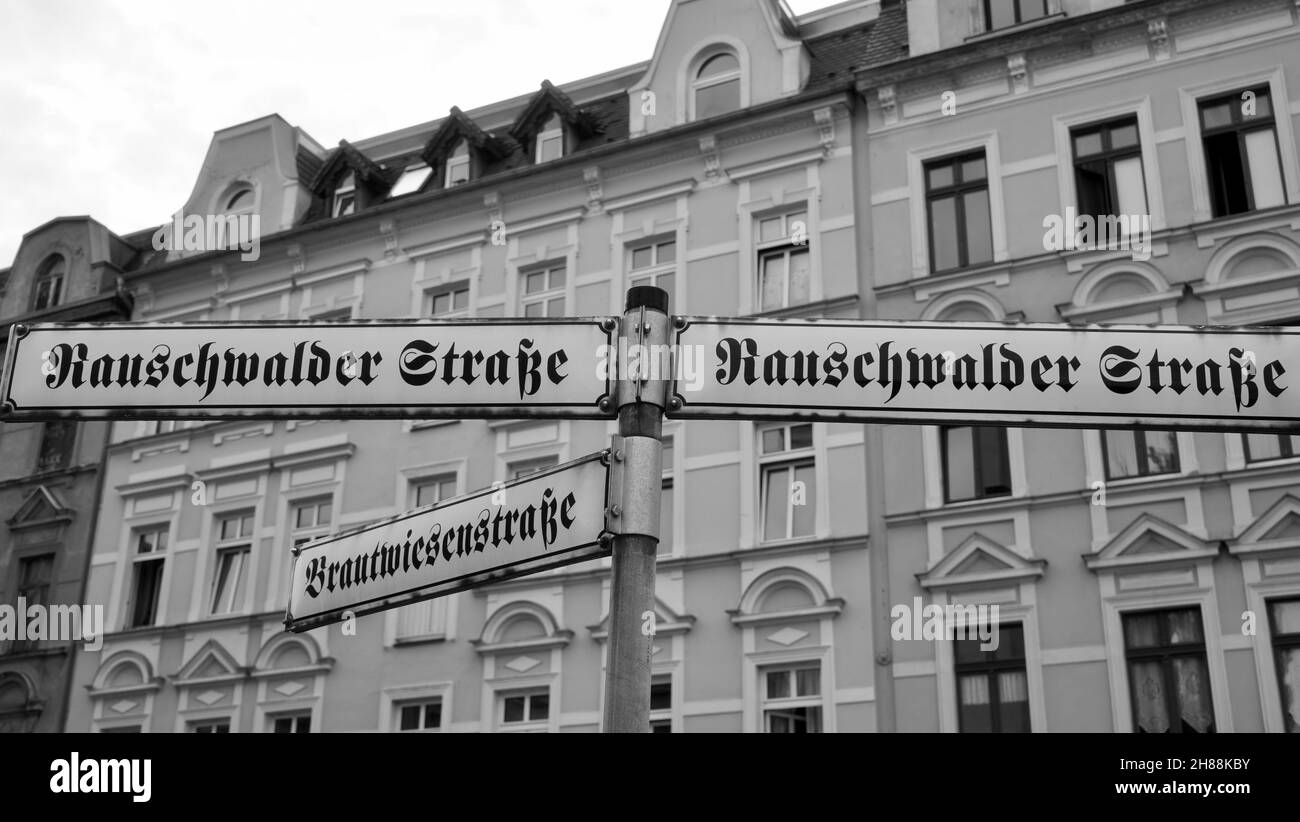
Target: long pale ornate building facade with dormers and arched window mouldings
1145, 581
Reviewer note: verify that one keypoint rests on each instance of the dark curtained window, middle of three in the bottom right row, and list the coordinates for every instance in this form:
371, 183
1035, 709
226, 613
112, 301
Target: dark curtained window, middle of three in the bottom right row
1169, 681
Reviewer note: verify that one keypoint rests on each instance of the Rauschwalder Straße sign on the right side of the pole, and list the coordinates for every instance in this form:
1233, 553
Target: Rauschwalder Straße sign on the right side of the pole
1211, 379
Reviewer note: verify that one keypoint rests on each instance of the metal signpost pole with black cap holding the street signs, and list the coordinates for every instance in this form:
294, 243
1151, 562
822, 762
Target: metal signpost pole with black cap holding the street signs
636, 471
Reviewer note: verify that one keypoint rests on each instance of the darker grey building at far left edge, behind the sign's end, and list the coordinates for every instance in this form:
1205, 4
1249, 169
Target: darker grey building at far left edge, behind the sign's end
68, 270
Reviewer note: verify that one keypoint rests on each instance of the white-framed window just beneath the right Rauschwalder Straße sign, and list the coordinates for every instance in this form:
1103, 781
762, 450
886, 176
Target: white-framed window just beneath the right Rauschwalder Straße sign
788, 484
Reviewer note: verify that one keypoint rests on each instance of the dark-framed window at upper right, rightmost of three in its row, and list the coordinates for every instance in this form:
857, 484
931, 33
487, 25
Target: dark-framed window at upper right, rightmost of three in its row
1242, 158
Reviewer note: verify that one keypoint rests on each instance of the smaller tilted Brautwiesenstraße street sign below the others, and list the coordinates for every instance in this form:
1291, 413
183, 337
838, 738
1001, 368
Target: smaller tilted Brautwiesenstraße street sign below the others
539, 522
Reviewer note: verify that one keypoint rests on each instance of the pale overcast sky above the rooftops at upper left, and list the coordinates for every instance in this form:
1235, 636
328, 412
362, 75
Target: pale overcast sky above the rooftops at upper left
107, 107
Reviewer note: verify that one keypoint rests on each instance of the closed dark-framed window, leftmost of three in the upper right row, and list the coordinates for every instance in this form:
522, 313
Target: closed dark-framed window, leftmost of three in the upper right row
957, 207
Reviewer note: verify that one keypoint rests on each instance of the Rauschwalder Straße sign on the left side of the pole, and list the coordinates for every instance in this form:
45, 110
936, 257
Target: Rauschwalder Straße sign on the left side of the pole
366, 369
